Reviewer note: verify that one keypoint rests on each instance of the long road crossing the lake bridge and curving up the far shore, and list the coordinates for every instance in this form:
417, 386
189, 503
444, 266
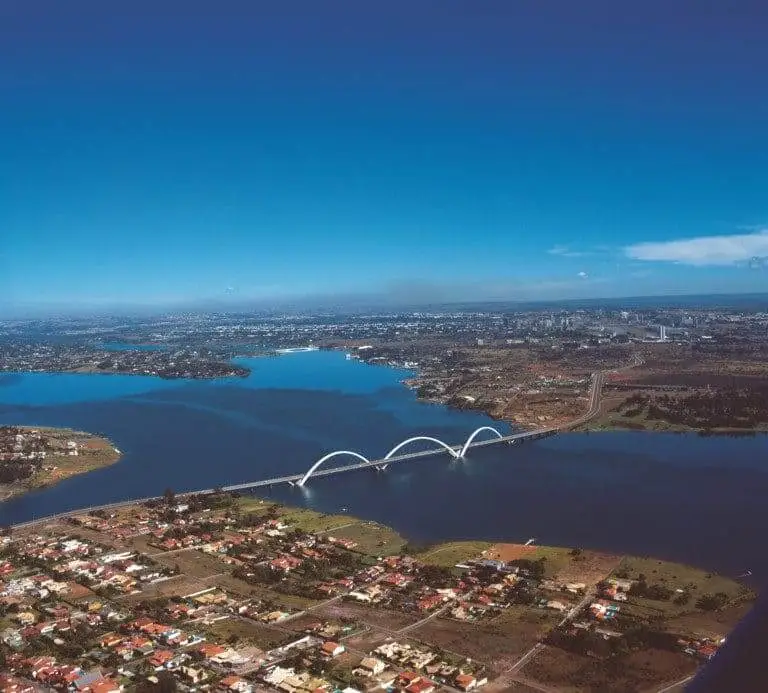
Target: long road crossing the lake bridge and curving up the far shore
598, 380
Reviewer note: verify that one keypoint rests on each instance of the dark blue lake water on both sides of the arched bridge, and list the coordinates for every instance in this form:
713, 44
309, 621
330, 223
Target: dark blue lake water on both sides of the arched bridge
685, 497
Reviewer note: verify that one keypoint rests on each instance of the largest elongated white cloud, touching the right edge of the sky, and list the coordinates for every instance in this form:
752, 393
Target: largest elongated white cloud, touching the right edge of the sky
705, 250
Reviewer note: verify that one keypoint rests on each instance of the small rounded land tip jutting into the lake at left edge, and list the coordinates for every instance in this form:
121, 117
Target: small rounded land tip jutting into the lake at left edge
32, 458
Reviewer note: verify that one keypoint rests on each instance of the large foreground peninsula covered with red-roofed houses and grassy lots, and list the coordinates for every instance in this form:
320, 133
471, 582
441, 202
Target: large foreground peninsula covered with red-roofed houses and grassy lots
238, 593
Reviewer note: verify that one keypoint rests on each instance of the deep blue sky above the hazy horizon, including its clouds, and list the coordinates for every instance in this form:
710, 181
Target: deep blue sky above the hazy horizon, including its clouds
161, 152
